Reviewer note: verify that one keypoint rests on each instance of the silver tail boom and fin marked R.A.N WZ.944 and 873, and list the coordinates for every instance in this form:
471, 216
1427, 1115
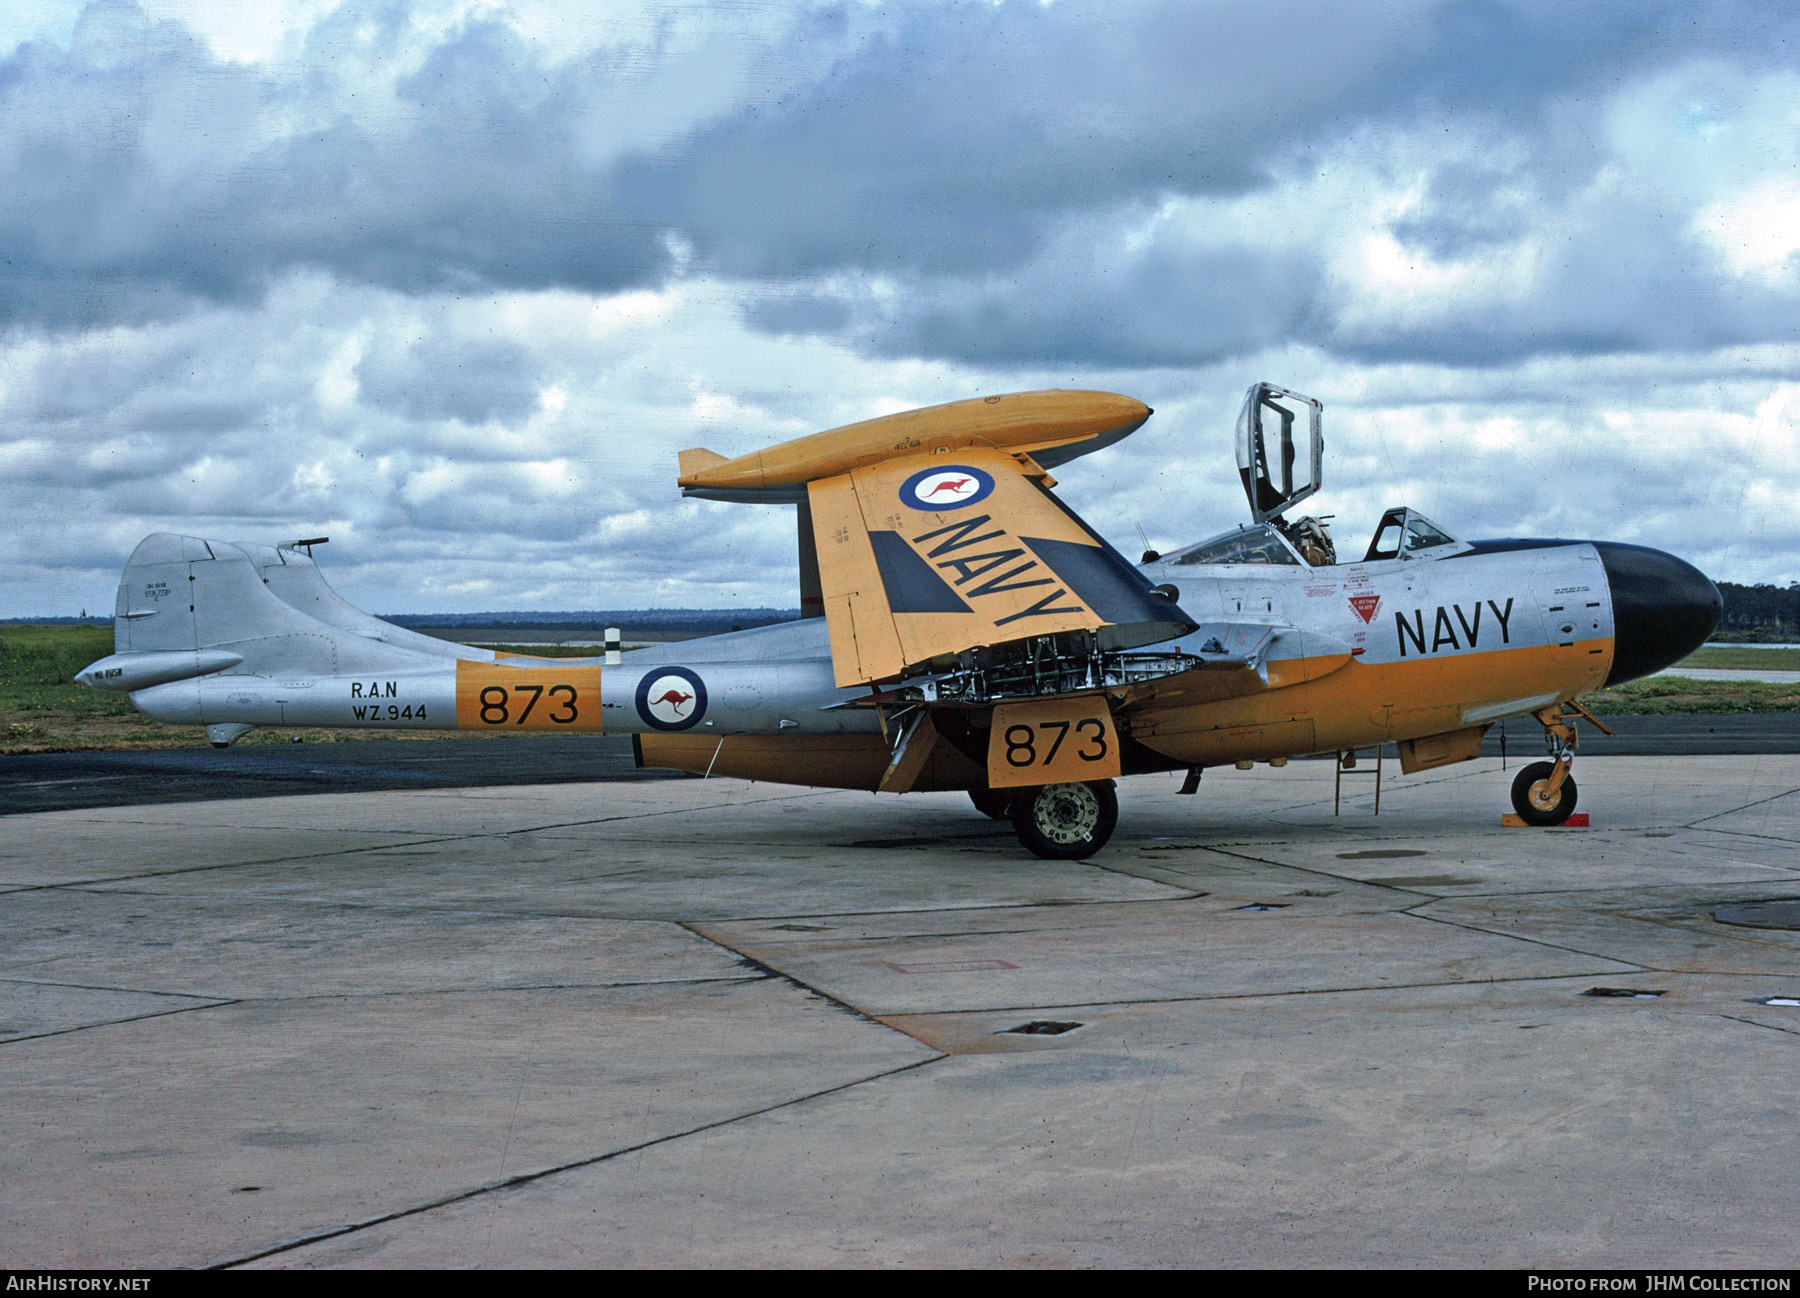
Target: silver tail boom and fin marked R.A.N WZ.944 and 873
231, 638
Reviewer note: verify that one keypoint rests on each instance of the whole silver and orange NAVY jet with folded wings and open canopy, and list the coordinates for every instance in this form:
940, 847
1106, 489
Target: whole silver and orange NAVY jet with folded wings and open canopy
966, 631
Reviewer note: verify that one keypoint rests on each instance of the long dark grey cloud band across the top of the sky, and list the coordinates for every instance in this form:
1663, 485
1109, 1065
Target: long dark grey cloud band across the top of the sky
147, 172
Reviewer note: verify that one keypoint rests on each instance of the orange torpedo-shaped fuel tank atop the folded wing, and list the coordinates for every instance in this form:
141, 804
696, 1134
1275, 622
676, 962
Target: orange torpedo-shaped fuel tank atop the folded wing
1052, 428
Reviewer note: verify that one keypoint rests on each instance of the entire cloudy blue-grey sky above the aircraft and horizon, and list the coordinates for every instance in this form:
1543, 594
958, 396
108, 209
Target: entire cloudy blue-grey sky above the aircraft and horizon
453, 282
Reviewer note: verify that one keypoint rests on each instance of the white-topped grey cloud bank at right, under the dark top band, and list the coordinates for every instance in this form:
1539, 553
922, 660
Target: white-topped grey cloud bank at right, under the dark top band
1398, 248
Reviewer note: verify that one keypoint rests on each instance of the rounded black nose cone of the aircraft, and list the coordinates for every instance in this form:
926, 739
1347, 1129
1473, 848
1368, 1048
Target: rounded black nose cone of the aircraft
1664, 609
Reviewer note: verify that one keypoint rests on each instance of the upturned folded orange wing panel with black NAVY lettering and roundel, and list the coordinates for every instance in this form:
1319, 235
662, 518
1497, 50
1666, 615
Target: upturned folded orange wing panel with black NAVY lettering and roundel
926, 557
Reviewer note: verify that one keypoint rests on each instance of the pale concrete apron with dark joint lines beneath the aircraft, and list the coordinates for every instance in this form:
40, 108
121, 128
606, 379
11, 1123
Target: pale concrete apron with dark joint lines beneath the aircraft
679, 1022
